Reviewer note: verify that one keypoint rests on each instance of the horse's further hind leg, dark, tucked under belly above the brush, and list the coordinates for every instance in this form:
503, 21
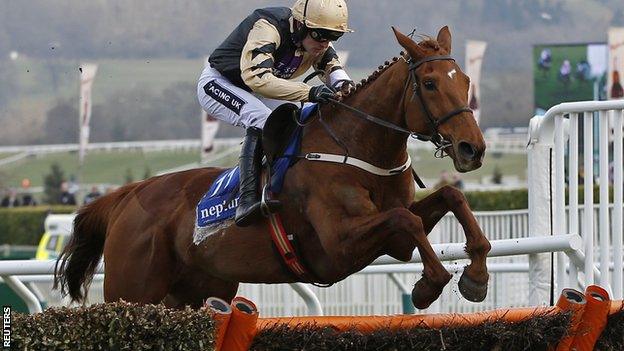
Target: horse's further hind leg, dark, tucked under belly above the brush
193, 289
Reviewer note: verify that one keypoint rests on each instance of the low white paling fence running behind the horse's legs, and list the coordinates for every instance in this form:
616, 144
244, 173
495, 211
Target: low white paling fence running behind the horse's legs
369, 293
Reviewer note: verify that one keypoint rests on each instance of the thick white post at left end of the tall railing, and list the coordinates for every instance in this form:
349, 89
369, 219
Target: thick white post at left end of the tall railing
539, 180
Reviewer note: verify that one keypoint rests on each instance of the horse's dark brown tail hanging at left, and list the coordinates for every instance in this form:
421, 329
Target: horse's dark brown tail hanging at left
77, 263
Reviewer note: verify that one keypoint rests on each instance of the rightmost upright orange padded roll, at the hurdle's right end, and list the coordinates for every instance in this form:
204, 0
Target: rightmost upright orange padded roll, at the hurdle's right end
594, 318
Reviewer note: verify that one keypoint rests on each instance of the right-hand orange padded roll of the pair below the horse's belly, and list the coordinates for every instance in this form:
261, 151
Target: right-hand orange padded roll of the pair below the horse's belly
242, 327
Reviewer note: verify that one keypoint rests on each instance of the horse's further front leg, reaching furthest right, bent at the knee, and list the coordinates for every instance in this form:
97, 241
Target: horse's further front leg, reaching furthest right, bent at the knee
474, 279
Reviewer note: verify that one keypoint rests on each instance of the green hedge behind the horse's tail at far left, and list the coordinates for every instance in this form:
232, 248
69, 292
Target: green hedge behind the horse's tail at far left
24, 225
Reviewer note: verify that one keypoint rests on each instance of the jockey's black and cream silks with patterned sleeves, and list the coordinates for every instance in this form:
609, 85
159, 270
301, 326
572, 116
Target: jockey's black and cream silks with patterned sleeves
261, 56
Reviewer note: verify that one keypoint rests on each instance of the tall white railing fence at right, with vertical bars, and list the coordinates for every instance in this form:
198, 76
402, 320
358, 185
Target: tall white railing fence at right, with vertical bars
567, 131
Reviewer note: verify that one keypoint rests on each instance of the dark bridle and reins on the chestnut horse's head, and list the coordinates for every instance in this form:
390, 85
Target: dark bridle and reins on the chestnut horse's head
434, 123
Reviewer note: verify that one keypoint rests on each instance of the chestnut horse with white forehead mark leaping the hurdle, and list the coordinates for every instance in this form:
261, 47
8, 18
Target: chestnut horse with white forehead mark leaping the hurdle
343, 217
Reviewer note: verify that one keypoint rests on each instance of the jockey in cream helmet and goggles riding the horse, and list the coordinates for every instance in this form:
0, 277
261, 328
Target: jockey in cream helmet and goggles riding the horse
250, 75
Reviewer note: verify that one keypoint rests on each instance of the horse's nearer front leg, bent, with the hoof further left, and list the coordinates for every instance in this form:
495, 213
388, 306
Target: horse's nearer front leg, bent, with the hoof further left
389, 230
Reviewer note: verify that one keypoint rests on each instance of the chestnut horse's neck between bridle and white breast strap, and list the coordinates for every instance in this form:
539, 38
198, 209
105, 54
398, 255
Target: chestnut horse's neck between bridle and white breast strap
381, 98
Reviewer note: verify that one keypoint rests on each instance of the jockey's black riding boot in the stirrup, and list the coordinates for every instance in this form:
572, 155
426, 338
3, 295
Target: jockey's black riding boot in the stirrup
249, 206
